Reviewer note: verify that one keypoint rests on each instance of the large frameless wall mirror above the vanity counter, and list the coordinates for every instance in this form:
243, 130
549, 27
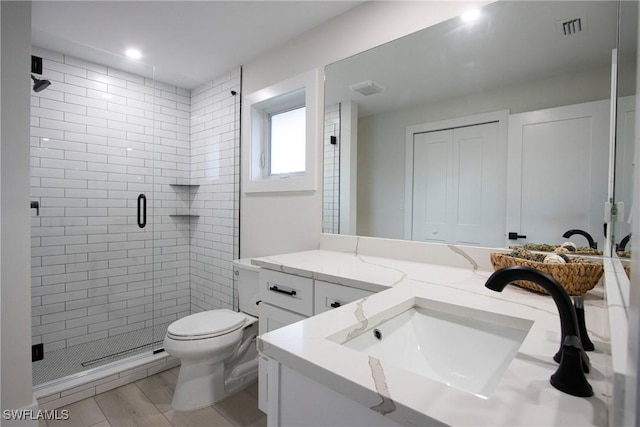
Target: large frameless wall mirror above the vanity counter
481, 130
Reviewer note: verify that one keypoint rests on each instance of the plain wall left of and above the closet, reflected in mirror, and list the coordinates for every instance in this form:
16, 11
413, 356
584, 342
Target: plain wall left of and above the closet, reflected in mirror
381, 150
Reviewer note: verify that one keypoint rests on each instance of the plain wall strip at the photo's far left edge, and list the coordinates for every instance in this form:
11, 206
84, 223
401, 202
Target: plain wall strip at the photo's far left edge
15, 322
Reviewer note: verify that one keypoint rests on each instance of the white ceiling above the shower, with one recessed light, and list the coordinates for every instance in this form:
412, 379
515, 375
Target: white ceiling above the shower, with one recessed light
184, 43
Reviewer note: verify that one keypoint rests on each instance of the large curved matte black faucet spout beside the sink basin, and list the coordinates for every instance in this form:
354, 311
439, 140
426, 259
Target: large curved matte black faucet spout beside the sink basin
569, 377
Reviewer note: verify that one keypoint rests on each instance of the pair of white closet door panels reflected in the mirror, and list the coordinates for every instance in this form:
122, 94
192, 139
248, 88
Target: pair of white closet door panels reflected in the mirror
455, 180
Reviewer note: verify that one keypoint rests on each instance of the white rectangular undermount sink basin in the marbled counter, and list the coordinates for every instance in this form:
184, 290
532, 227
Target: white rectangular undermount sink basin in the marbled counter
462, 347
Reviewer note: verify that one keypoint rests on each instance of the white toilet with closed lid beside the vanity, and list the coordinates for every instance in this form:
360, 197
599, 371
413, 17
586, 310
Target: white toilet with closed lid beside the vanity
217, 348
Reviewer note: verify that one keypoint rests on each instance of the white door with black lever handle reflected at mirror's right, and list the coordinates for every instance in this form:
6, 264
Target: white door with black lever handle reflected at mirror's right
557, 172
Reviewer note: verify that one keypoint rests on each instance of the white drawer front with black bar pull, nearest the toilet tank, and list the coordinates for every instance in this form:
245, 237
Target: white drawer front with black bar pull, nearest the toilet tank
290, 292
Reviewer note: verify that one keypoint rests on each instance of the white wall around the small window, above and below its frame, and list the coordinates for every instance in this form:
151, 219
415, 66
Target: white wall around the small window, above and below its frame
279, 223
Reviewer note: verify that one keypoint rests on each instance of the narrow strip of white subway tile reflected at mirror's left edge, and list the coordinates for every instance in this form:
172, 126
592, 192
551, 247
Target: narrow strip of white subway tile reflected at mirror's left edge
331, 181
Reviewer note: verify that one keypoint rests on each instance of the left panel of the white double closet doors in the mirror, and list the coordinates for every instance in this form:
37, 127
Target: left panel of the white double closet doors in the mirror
432, 185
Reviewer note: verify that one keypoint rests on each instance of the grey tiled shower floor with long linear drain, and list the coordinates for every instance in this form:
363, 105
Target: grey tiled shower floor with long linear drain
72, 360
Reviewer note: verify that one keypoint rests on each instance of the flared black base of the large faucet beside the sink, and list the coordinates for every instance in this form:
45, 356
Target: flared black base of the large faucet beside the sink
570, 377
